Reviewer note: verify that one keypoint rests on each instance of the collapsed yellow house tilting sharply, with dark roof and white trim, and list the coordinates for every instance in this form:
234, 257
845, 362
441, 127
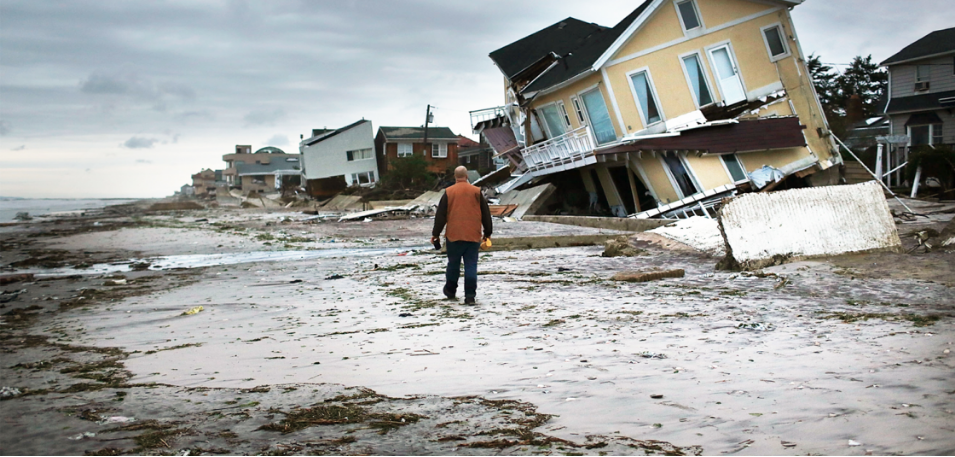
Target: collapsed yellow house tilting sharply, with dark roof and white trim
680, 104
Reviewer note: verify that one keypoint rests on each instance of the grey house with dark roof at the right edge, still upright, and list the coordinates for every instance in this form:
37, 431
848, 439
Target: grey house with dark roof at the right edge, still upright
921, 99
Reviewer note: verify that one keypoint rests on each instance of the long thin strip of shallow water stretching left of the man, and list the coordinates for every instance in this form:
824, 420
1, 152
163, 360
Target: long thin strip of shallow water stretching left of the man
211, 260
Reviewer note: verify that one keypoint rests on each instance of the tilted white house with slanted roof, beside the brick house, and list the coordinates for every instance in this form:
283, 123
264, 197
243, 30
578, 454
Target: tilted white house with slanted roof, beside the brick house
335, 159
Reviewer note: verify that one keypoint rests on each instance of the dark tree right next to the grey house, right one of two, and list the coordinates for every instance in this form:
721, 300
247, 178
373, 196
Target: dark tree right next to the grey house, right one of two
863, 77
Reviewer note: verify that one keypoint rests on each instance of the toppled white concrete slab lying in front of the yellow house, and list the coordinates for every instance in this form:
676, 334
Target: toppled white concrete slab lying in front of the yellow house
767, 228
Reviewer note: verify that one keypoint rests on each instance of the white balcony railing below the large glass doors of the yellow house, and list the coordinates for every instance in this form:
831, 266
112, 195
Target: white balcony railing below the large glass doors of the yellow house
571, 150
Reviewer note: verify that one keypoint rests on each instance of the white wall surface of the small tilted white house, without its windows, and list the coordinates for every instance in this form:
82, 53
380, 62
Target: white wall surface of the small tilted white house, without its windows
327, 158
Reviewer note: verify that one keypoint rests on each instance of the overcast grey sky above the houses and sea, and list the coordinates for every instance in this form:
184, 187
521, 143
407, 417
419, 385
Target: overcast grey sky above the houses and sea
112, 98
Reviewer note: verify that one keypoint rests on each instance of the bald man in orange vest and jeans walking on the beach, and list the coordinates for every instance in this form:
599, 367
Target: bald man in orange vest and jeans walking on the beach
464, 210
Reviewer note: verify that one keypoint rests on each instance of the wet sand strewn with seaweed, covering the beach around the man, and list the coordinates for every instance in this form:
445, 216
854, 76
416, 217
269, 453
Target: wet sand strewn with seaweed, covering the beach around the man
555, 358
